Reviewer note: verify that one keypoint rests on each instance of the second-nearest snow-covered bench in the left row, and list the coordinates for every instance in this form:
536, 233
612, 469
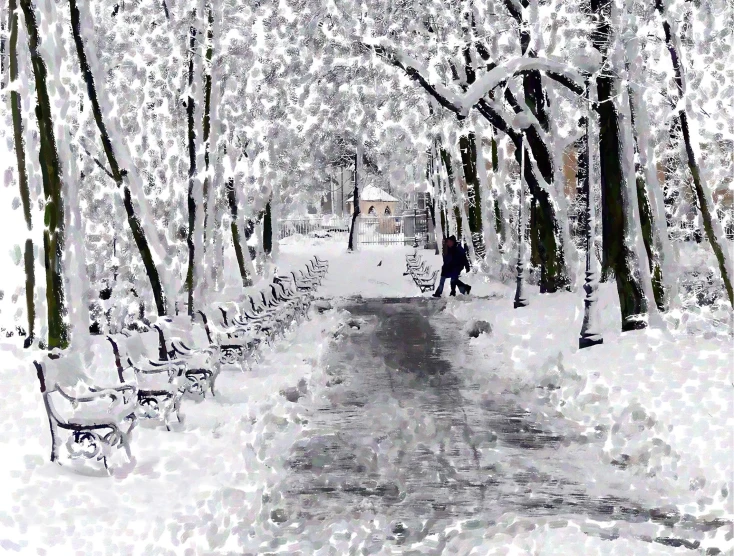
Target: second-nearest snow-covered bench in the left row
161, 383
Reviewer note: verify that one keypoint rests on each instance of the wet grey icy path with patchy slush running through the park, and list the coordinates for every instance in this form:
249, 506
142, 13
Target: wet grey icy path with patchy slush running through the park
403, 448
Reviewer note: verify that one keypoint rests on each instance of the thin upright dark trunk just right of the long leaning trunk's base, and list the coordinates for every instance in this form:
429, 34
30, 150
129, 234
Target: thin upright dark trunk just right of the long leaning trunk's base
191, 196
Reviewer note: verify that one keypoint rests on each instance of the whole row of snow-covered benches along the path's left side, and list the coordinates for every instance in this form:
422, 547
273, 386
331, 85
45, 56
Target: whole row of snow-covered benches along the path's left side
94, 397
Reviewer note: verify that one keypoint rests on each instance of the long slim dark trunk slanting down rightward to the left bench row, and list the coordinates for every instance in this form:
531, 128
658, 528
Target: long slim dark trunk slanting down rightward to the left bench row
118, 173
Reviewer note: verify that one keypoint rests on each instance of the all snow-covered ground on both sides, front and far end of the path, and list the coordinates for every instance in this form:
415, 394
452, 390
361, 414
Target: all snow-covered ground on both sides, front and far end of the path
662, 401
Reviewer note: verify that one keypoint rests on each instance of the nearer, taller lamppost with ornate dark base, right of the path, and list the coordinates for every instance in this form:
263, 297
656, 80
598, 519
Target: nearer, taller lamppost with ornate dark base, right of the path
590, 332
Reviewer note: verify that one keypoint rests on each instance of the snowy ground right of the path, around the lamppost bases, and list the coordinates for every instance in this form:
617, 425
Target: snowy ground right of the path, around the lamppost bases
662, 400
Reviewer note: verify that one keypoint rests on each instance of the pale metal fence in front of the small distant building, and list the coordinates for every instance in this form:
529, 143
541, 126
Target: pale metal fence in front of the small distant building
409, 229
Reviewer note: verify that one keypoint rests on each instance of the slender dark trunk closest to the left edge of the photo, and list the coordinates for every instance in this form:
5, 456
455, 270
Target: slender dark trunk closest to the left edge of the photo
24, 190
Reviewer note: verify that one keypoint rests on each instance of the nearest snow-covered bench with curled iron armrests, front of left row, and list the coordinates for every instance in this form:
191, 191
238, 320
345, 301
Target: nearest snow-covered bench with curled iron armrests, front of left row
90, 420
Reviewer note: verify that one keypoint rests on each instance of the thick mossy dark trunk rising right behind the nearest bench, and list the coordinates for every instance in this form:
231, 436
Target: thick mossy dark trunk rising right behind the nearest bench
53, 235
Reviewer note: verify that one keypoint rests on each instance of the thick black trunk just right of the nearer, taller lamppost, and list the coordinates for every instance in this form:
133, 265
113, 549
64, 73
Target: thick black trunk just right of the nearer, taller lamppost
617, 223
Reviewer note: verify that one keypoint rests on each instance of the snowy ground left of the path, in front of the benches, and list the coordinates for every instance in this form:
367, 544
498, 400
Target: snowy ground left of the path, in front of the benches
201, 488
